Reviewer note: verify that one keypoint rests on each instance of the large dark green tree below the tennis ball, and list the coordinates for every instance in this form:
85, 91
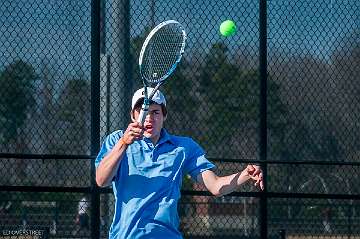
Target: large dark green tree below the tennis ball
231, 105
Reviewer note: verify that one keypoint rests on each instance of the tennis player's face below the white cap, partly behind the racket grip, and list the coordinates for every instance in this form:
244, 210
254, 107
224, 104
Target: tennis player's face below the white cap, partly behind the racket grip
153, 122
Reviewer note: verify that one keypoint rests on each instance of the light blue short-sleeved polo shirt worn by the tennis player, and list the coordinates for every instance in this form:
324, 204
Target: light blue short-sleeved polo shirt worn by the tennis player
148, 182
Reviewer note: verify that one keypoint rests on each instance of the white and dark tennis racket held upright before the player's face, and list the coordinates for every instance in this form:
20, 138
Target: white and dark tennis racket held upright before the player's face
160, 54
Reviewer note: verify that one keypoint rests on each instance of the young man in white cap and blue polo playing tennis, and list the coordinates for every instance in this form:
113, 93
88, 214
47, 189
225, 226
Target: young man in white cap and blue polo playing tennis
146, 164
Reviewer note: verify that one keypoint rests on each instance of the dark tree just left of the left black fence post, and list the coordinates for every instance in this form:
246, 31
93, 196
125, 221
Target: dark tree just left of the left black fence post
72, 132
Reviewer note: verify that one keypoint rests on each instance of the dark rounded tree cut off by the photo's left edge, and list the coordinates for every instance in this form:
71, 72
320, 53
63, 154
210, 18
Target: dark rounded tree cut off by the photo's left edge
17, 82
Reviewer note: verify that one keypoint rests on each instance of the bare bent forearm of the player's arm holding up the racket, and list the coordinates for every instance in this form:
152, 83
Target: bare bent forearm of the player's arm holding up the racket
107, 168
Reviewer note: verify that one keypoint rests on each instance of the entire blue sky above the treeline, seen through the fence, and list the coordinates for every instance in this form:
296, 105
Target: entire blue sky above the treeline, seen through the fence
59, 31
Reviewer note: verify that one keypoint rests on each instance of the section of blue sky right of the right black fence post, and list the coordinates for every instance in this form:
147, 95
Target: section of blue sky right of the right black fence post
315, 27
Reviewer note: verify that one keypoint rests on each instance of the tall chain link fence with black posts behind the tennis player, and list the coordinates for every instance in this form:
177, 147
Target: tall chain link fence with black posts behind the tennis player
313, 107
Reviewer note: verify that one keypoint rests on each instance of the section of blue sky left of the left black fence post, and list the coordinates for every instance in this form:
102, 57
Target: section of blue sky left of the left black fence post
38, 31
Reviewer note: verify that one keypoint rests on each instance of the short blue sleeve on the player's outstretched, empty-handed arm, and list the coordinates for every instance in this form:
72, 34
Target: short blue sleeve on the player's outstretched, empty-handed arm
196, 162
